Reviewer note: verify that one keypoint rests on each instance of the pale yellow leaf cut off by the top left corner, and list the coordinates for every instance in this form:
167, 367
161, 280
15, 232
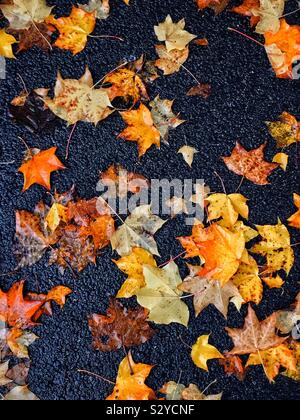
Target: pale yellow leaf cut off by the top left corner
21, 14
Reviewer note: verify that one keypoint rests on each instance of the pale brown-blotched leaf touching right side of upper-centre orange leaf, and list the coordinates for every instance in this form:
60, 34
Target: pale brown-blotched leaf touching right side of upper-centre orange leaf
163, 117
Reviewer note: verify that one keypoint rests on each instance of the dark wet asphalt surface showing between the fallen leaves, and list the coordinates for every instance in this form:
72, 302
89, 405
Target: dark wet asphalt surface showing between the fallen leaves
245, 94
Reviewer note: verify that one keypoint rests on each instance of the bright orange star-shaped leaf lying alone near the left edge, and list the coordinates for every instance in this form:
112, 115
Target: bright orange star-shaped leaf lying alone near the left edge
38, 168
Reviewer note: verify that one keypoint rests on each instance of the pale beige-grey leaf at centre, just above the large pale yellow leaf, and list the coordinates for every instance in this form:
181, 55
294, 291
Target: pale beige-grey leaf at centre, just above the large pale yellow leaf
137, 232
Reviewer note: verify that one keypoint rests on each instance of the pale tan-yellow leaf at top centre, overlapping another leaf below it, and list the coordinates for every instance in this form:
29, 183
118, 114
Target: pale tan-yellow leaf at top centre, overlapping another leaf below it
174, 34
